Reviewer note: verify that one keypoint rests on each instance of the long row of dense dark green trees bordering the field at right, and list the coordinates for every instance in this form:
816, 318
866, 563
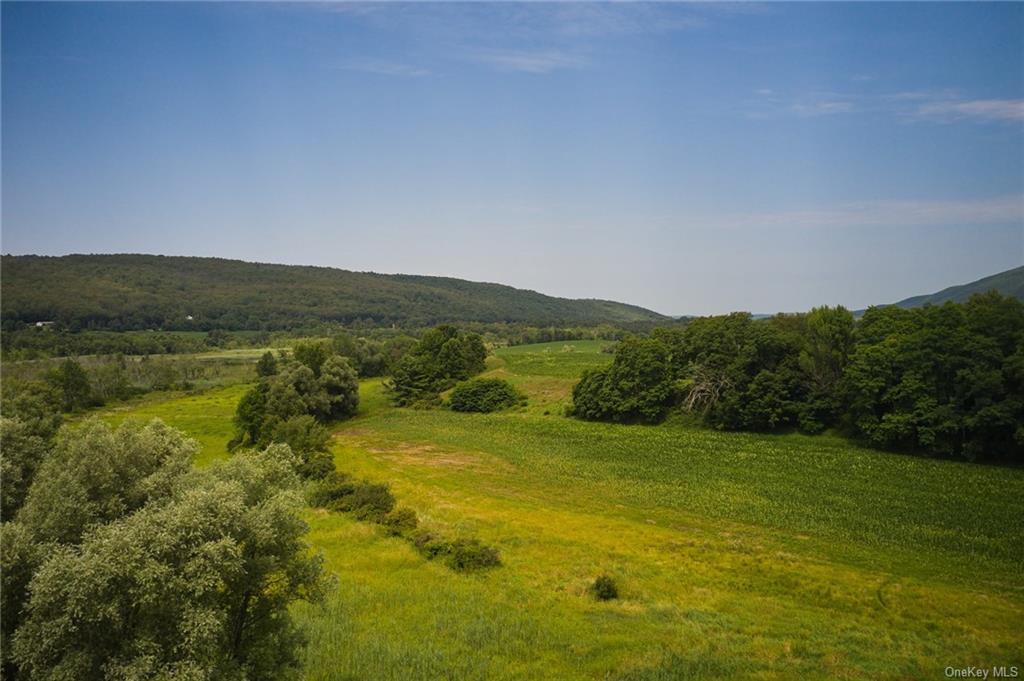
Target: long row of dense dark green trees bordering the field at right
946, 380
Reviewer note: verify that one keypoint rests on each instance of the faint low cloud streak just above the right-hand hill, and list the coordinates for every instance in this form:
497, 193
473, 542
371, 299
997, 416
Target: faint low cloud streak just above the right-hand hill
976, 212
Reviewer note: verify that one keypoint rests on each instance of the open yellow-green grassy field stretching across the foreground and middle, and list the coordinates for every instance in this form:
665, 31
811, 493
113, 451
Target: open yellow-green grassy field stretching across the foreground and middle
738, 556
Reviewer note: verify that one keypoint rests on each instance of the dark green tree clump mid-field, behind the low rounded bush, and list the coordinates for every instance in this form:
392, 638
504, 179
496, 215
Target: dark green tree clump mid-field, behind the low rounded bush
442, 358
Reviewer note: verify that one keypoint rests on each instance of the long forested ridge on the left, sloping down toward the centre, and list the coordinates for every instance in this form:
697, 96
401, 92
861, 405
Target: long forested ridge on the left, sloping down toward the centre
132, 292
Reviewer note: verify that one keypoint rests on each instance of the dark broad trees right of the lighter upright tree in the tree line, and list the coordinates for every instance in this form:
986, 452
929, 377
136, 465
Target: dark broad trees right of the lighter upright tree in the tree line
942, 379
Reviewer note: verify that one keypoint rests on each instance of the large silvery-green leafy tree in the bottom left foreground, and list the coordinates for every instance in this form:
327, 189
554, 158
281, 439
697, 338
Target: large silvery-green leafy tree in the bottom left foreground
196, 587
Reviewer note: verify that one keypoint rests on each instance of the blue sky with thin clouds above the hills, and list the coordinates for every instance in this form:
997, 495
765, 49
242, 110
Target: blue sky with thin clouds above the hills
693, 159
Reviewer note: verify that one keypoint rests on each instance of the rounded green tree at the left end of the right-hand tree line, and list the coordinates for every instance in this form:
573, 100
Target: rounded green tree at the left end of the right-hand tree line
636, 388
